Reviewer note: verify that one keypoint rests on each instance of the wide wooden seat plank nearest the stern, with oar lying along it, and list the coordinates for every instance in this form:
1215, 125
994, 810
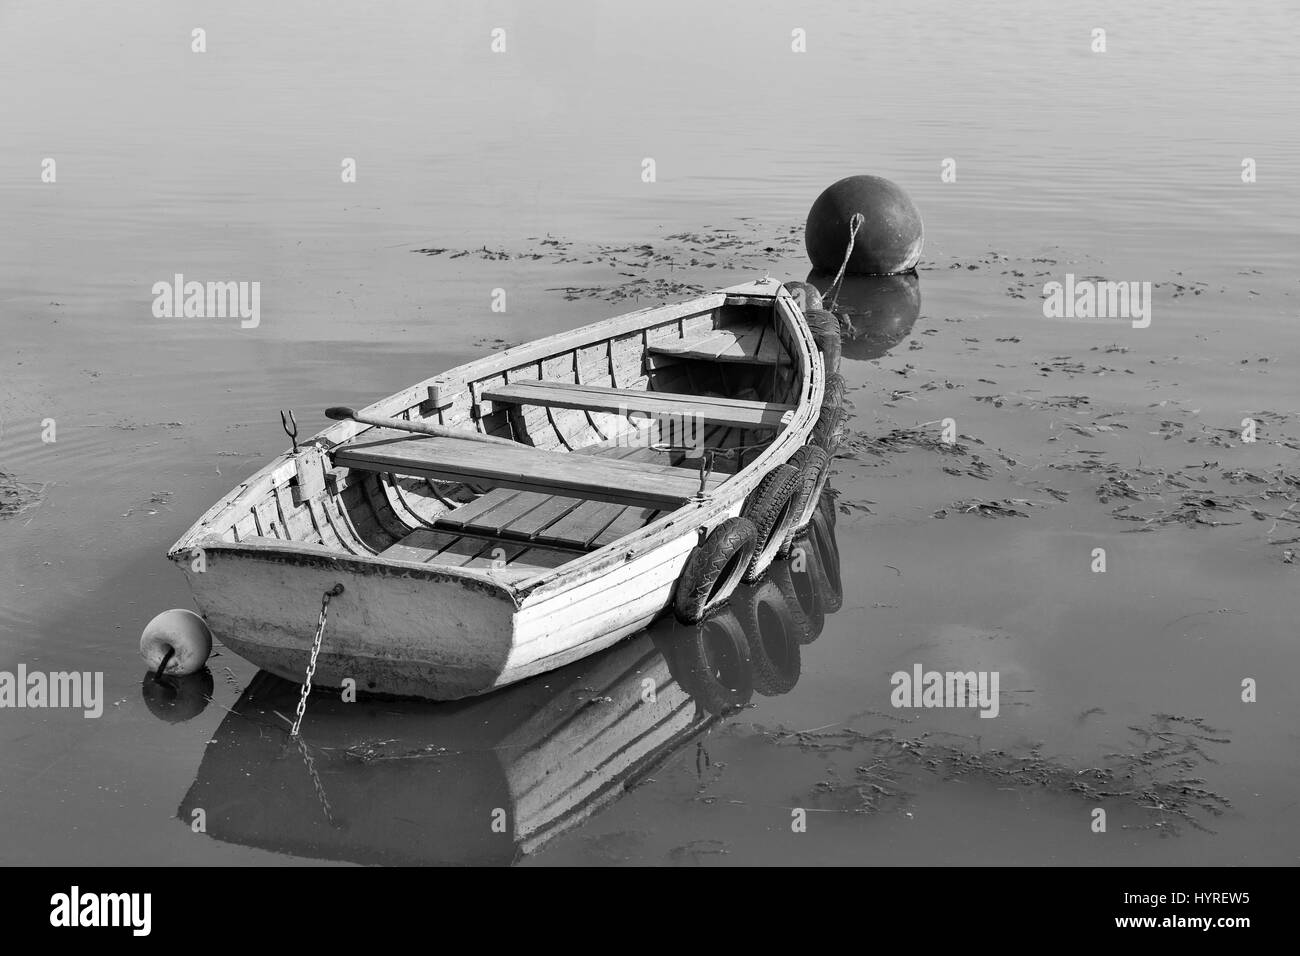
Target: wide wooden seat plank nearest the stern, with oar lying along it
526, 469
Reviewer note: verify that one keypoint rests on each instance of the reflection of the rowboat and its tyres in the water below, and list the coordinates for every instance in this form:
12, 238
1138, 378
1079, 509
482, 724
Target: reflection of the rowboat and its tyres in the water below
491, 780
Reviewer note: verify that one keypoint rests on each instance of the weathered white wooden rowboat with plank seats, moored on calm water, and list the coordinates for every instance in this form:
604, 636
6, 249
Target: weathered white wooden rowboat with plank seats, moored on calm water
466, 565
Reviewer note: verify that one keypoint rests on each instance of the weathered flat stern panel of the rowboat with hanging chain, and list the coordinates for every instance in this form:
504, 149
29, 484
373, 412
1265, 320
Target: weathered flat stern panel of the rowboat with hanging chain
397, 629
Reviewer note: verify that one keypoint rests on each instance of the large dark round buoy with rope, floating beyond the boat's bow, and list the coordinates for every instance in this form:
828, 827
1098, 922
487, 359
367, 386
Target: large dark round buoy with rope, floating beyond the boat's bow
887, 243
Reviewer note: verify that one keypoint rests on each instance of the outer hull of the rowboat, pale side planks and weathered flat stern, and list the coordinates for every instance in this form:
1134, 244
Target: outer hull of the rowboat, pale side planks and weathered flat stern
397, 633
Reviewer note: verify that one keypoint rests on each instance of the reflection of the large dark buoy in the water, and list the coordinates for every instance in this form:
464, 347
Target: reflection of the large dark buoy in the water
877, 313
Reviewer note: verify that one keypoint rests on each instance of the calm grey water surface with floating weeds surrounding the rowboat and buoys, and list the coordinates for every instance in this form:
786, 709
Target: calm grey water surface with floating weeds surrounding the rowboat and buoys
227, 166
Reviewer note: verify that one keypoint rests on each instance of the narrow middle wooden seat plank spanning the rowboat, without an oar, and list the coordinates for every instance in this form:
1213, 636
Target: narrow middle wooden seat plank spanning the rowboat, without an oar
638, 401
